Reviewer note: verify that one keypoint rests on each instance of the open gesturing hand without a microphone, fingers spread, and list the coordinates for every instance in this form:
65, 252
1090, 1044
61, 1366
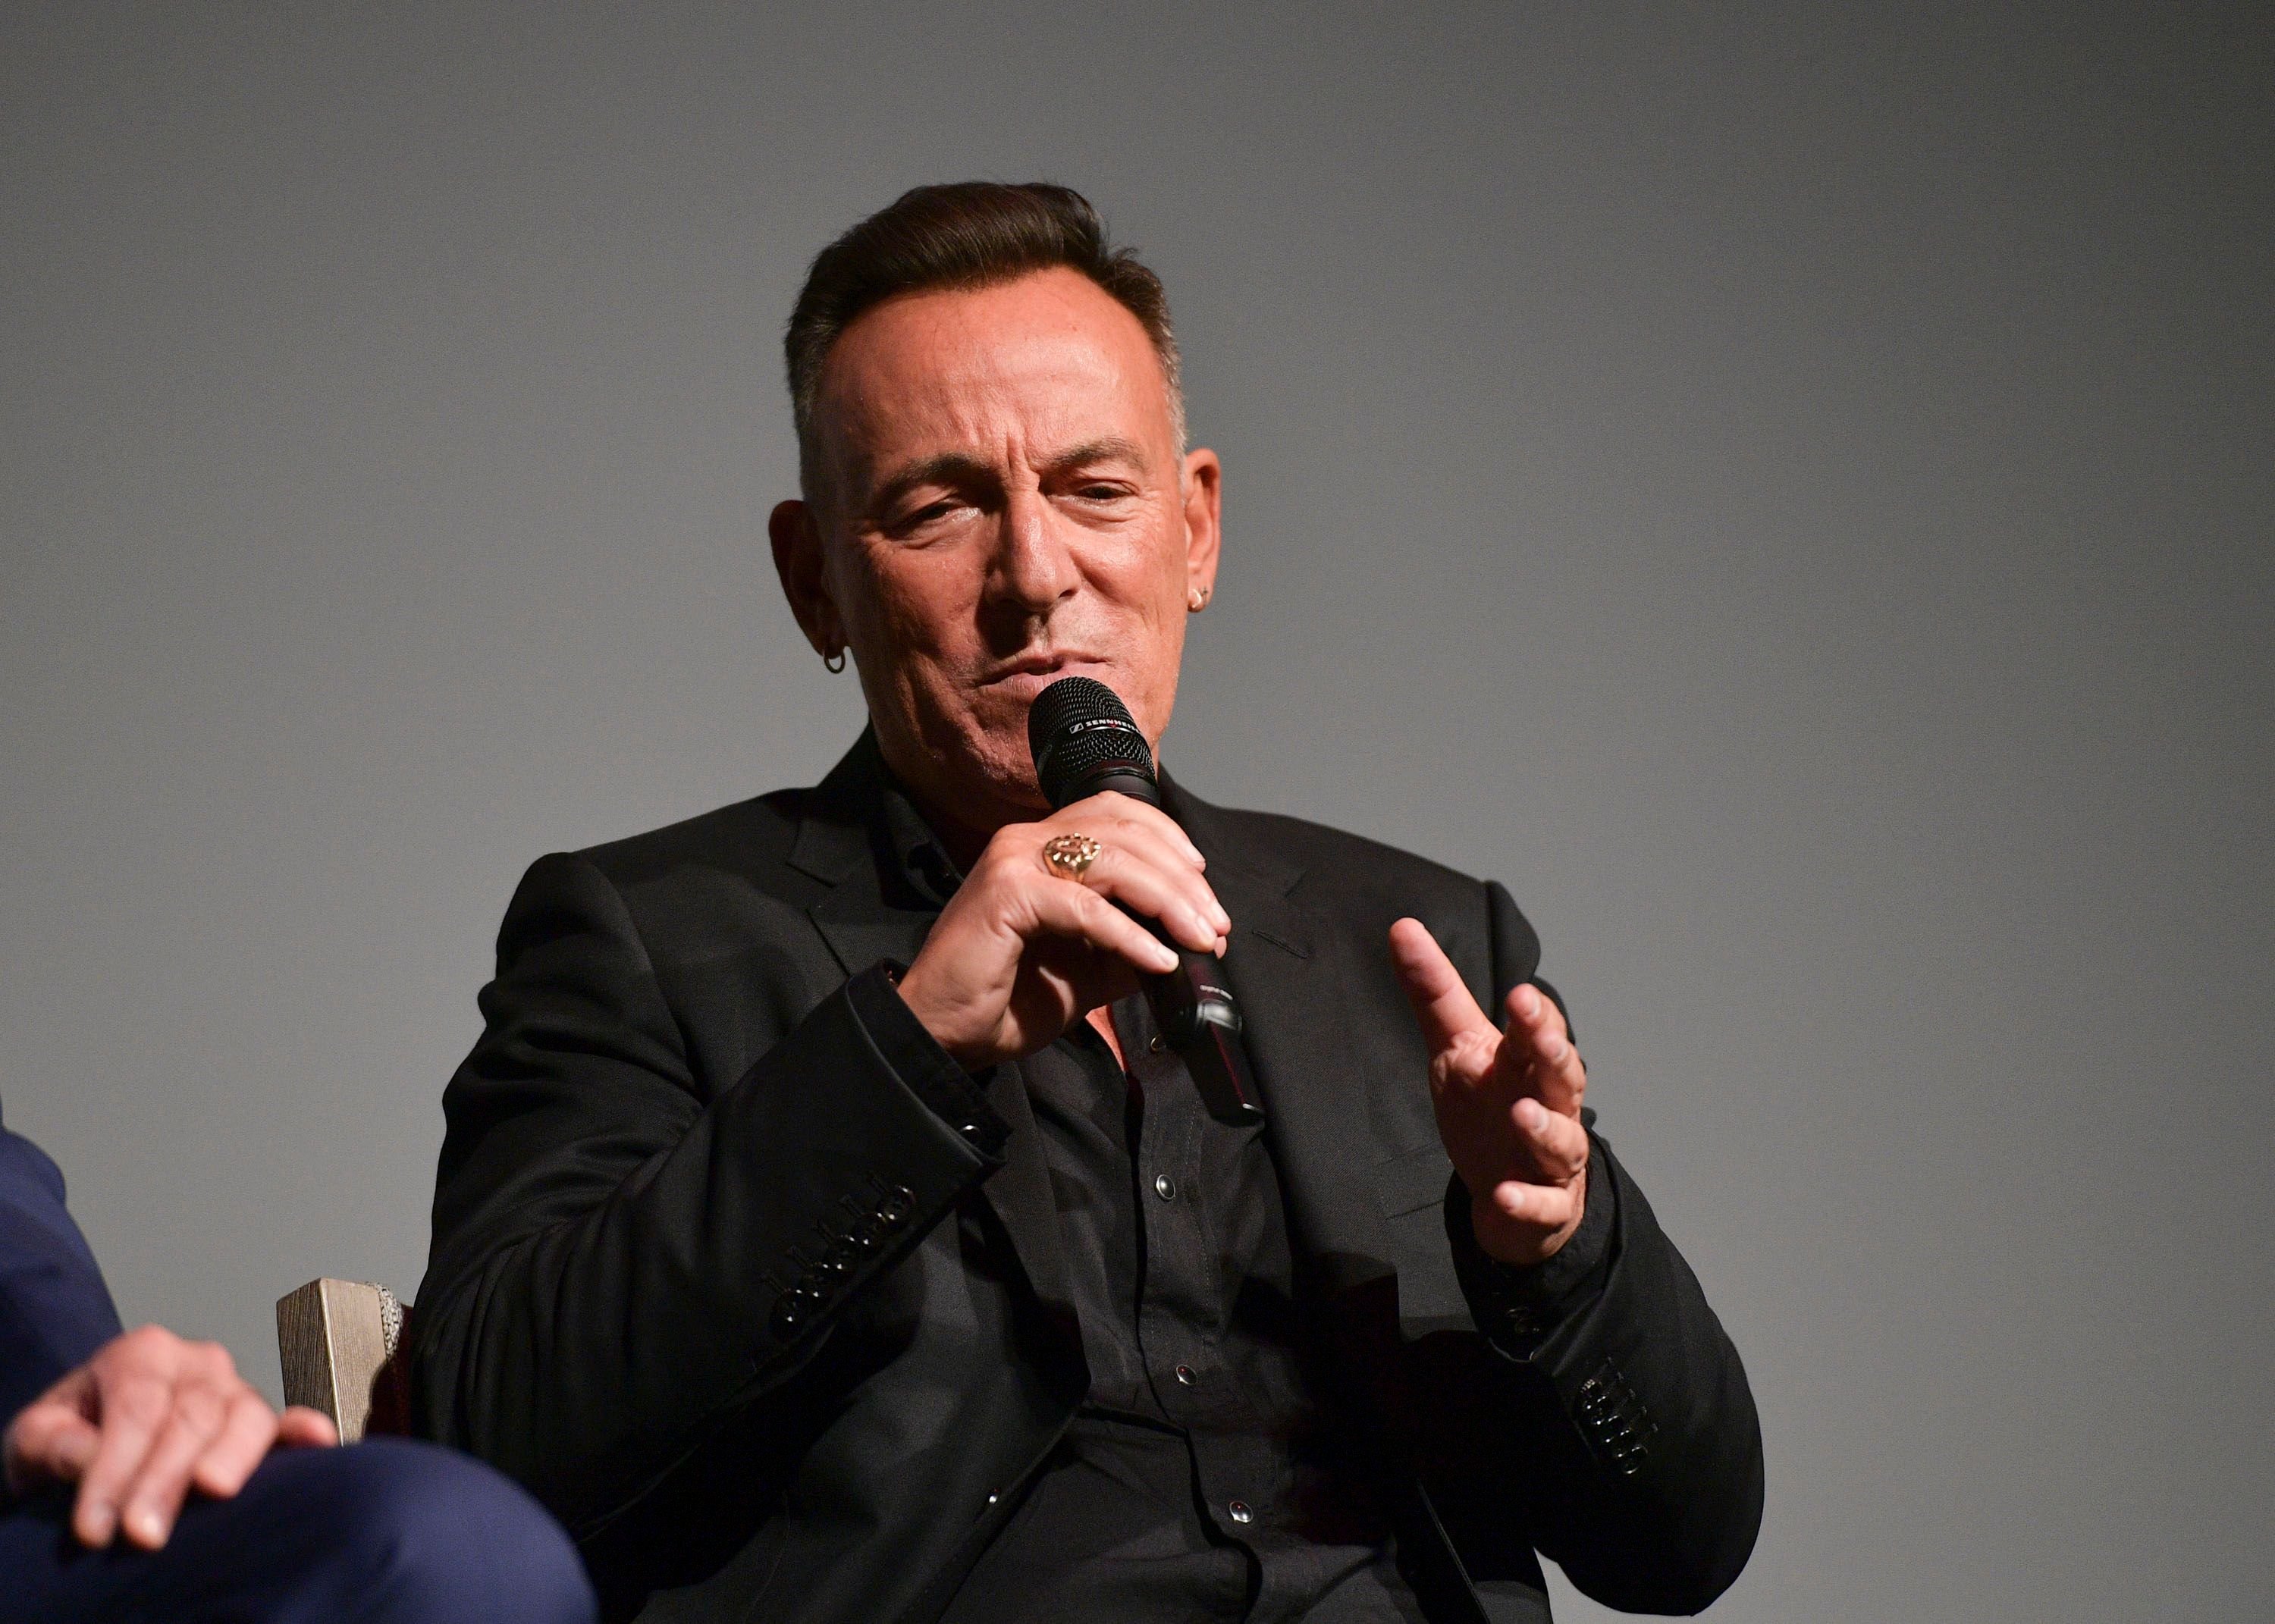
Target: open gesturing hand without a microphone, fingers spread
1507, 1102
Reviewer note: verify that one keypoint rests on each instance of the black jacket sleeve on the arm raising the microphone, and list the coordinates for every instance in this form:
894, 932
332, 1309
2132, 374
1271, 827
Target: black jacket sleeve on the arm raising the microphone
620, 1263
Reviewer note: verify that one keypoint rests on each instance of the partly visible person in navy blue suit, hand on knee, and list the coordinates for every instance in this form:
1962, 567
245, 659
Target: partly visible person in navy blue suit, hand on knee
142, 1484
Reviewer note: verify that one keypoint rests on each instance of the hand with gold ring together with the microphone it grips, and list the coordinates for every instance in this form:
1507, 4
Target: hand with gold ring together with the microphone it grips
1029, 943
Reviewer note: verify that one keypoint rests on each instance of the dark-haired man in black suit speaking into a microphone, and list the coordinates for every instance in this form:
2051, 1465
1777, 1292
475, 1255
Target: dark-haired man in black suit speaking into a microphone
822, 1229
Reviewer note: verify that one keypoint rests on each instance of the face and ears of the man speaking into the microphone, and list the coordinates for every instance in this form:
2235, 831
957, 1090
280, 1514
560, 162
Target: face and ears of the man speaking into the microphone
1004, 504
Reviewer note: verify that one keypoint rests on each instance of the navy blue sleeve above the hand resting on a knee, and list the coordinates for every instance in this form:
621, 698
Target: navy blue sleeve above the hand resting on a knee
53, 1304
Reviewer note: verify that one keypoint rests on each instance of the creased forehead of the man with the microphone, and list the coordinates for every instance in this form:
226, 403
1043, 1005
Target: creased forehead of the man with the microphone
1004, 374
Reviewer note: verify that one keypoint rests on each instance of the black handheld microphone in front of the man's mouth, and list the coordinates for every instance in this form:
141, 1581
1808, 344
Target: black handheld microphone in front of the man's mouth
1084, 743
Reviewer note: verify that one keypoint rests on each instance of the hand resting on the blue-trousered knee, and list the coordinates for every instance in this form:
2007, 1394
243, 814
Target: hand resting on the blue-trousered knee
140, 1425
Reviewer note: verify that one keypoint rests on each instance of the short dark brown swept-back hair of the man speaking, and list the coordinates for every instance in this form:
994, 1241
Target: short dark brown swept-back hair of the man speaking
966, 235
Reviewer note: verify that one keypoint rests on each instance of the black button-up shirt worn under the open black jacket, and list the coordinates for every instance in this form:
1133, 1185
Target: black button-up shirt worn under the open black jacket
1207, 1475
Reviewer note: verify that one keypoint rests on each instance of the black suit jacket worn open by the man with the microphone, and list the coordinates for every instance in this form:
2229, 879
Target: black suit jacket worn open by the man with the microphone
777, 1339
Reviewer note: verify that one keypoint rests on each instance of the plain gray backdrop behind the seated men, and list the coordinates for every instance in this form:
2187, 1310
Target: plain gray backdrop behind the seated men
1787, 492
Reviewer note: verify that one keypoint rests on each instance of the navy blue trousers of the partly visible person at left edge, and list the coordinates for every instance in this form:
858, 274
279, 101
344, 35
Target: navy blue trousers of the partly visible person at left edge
386, 1532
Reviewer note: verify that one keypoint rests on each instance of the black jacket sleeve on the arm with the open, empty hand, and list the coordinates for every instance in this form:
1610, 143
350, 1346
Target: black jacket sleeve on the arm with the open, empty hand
1628, 1400
